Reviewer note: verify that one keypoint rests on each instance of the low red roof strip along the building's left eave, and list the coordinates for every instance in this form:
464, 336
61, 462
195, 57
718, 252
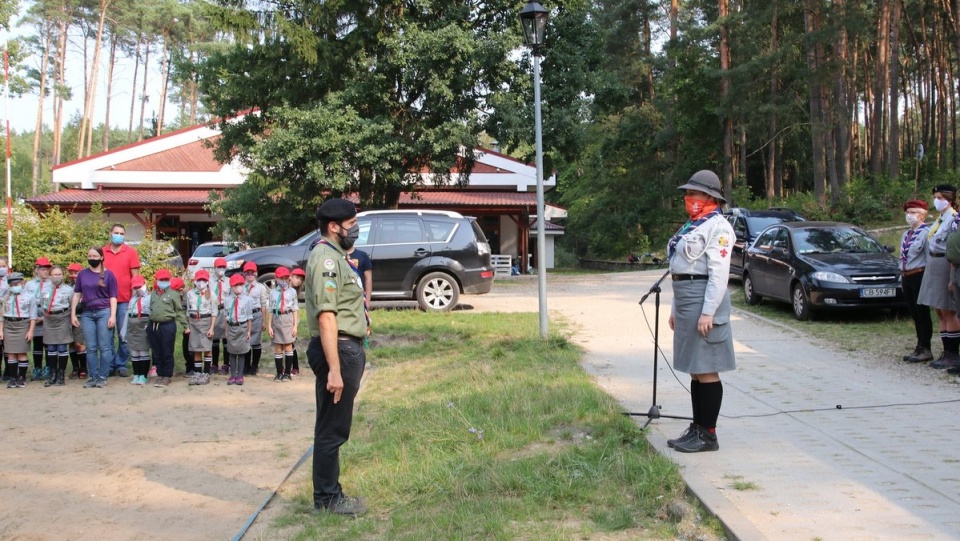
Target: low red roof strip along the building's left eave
118, 196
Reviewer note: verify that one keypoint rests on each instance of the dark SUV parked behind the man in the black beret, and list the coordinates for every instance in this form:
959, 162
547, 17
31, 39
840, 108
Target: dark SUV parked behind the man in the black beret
425, 255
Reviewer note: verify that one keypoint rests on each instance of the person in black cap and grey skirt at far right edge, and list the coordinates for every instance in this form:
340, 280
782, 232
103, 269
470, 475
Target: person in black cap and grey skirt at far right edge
936, 277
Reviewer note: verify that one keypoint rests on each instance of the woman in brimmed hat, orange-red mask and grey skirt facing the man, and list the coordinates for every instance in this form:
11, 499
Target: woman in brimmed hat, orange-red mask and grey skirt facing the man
700, 317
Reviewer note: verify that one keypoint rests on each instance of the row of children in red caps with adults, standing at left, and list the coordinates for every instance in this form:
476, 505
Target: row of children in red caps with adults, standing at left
62, 315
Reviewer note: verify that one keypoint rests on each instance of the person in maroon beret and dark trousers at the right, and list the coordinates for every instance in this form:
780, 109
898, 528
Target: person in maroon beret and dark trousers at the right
913, 262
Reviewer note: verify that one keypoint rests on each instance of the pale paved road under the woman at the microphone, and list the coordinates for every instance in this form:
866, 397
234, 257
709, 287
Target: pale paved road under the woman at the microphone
810, 447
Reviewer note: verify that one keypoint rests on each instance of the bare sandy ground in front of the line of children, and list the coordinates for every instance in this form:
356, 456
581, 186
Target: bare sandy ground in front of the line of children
129, 462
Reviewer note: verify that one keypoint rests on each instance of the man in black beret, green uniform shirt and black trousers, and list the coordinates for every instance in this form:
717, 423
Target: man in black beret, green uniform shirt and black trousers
335, 313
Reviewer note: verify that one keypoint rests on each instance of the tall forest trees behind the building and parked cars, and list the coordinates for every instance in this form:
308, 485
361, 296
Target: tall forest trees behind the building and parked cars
814, 104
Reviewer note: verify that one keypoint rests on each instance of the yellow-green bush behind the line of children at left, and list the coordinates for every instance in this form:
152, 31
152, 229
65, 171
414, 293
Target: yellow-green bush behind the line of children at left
58, 236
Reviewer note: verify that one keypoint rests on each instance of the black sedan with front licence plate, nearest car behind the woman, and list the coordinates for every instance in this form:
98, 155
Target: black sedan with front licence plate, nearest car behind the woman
820, 265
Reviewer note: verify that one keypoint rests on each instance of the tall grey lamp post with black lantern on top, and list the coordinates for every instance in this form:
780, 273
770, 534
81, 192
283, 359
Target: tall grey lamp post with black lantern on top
533, 18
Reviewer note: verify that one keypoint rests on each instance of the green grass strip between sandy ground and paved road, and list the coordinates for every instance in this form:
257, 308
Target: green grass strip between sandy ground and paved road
470, 426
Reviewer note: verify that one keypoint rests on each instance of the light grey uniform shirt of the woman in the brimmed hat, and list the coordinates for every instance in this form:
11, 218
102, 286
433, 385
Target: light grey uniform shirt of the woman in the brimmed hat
705, 251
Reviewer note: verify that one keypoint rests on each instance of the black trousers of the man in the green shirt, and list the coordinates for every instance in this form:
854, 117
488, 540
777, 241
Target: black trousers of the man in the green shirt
332, 428
